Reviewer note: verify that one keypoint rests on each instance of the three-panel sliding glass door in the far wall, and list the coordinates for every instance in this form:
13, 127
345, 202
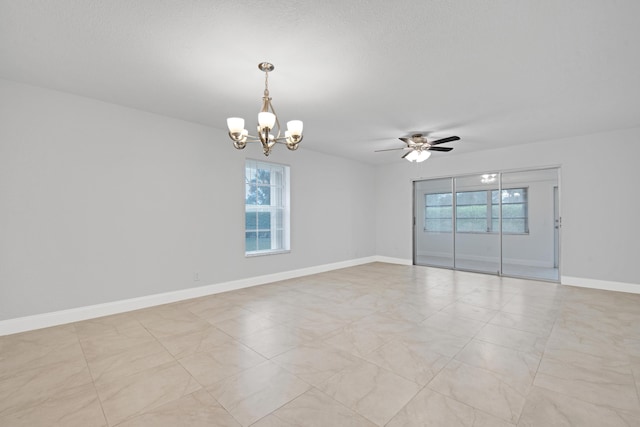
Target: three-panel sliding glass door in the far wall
500, 223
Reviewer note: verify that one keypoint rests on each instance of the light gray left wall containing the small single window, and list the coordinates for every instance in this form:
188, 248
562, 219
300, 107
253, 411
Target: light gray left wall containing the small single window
101, 203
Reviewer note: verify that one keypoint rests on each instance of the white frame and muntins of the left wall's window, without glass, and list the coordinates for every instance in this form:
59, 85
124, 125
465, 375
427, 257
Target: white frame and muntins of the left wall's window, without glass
278, 207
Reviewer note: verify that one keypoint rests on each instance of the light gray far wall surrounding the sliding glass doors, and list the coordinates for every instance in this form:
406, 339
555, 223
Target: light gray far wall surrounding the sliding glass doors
600, 237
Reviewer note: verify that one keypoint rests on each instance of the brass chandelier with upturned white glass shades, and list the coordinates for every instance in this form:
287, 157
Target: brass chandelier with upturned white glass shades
267, 120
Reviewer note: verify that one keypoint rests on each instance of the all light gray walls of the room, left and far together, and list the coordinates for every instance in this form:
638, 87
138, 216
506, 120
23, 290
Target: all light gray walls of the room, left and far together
100, 203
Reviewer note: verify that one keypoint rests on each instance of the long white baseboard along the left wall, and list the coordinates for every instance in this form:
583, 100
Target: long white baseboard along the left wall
45, 320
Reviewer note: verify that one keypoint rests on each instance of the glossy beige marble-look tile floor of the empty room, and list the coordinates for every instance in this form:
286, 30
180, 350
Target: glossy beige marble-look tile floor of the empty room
373, 345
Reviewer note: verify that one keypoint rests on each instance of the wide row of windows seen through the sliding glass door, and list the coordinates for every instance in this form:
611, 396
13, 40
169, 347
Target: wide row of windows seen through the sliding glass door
478, 211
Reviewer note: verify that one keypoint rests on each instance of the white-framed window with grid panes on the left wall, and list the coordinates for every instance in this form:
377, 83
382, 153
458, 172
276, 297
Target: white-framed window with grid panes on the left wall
266, 208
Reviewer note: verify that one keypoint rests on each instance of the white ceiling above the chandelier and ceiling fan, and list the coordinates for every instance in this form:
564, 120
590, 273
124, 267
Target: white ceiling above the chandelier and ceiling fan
359, 73
